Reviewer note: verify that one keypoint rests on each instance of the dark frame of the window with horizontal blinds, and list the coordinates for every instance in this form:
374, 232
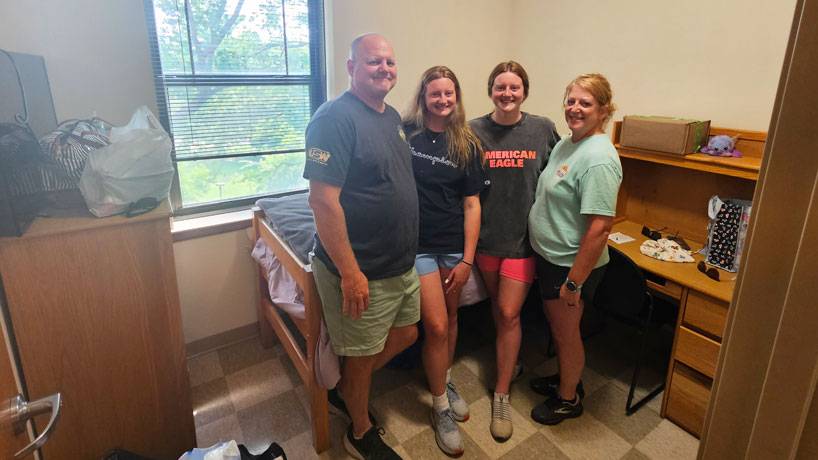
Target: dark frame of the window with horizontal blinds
316, 81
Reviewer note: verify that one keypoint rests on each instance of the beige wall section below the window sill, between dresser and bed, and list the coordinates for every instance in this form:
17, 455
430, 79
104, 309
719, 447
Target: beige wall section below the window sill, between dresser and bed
217, 283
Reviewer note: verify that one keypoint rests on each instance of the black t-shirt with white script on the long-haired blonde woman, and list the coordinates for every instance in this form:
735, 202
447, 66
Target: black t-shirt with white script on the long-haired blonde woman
441, 186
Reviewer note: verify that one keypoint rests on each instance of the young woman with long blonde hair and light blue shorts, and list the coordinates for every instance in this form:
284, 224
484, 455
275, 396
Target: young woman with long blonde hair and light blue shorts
446, 159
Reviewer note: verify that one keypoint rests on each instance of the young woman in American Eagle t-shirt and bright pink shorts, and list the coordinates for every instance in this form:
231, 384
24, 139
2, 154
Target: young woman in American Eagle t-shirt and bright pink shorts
516, 147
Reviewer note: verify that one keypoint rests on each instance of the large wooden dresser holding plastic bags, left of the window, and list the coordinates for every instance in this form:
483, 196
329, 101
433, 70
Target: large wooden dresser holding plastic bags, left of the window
94, 307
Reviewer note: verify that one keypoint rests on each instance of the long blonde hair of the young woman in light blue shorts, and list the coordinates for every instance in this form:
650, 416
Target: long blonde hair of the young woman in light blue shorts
463, 144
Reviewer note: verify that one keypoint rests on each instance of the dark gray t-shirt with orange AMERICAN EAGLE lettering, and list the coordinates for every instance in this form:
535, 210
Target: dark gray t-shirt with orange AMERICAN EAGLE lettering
515, 156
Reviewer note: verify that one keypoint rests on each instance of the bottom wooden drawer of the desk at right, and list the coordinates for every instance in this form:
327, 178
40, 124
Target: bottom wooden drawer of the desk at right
687, 398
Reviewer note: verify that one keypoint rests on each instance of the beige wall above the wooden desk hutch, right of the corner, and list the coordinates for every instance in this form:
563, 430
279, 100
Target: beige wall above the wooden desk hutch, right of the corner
695, 59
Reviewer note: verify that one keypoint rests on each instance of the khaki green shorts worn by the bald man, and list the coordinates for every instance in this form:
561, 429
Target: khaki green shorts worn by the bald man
393, 302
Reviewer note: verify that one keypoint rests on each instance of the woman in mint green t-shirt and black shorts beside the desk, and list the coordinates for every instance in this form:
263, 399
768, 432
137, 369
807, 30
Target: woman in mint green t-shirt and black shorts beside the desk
568, 226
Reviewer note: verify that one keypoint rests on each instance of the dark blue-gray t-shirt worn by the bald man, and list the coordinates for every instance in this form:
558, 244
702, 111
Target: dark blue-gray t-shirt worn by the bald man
364, 152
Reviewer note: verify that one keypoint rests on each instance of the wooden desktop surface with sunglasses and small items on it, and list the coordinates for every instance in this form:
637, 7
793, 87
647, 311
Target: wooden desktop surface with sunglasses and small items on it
685, 274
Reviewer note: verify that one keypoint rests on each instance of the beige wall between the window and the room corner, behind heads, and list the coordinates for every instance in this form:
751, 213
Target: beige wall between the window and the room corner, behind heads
469, 36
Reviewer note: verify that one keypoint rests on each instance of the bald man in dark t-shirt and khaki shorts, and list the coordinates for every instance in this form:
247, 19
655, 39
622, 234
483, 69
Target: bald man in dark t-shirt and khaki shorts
363, 196
